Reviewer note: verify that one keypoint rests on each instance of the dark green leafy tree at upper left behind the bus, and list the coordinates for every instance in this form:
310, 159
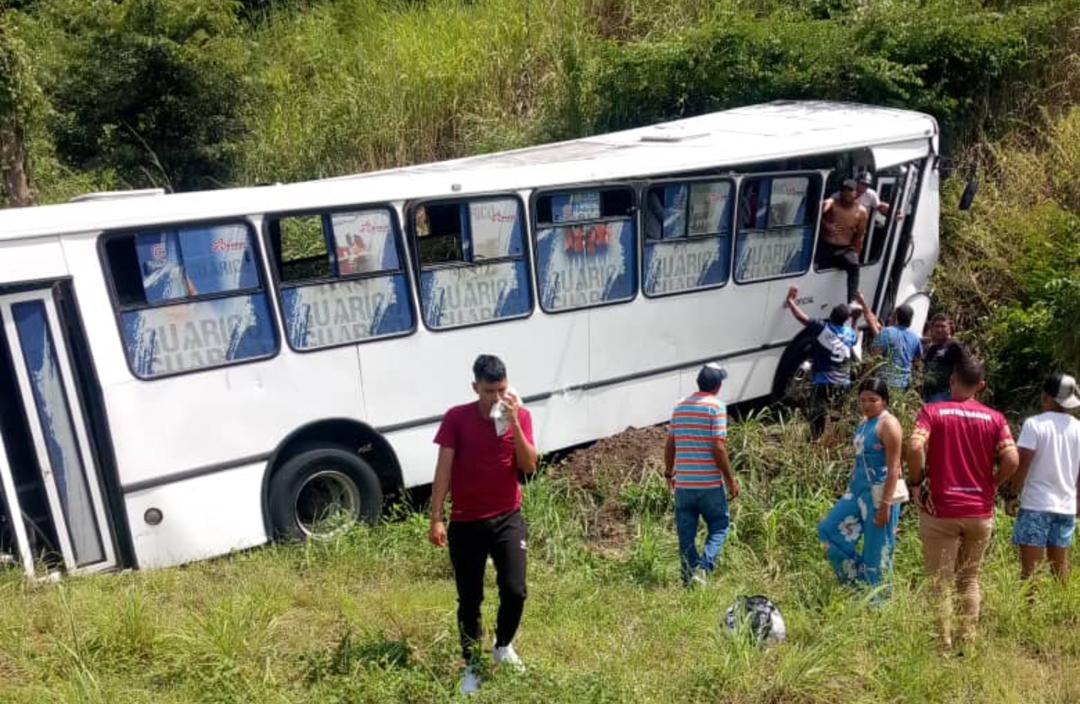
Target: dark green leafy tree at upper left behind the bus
151, 91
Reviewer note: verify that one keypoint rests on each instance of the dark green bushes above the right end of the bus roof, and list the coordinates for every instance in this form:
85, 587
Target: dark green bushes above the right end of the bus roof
953, 60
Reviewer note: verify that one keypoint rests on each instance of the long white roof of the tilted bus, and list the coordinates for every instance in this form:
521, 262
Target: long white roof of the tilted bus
740, 137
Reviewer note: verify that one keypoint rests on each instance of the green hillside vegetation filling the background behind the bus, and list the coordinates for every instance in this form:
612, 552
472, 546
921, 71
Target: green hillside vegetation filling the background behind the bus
195, 94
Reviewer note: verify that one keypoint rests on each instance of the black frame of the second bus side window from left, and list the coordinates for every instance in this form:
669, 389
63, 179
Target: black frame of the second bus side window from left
326, 213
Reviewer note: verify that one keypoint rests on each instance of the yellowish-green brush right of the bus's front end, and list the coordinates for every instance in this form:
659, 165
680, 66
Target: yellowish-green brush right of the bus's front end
1014, 262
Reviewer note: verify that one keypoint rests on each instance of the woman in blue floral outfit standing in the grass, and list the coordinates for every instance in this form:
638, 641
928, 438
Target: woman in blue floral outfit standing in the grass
868, 511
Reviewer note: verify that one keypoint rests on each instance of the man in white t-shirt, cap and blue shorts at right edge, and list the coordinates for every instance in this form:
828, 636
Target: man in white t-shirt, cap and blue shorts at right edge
1050, 477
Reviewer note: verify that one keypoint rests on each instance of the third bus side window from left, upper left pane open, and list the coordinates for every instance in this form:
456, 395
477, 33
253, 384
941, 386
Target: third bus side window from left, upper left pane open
472, 262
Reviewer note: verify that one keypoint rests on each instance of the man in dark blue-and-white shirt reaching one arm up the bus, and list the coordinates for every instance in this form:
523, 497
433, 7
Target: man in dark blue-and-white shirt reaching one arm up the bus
831, 358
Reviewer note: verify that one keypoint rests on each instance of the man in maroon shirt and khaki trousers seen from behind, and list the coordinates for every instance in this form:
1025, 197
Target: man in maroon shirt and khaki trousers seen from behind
961, 441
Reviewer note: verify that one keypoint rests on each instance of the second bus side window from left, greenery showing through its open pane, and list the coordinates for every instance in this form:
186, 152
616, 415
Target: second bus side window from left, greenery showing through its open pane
343, 279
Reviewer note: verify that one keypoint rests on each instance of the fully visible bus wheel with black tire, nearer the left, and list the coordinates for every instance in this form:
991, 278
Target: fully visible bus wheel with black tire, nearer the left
318, 493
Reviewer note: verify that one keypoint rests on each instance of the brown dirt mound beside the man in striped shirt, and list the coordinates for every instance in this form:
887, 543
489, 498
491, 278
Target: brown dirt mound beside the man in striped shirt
603, 471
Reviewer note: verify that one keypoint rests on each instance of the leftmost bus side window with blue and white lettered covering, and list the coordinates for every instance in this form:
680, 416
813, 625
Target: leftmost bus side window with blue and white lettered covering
190, 299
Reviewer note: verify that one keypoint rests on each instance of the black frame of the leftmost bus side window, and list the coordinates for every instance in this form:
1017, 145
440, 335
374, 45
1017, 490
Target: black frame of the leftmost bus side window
118, 309
